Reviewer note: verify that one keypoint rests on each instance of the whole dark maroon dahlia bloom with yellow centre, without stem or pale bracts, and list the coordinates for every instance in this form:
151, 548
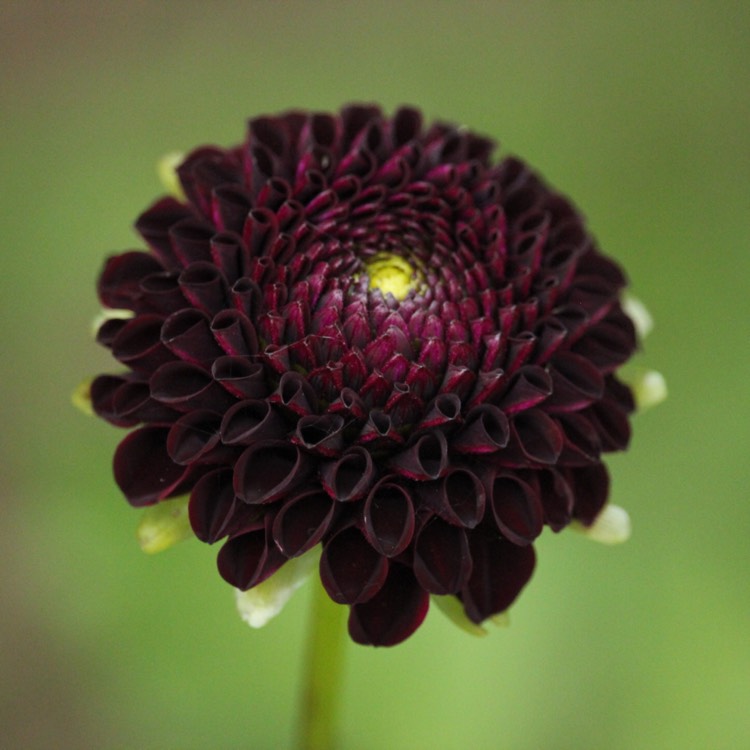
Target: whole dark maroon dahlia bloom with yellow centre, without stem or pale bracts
357, 331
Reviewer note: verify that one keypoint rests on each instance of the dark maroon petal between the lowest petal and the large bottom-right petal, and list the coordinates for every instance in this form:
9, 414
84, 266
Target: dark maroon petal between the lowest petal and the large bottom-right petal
442, 563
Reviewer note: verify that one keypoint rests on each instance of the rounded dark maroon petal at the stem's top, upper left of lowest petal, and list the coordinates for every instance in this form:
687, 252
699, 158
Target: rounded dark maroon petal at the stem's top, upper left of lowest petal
350, 569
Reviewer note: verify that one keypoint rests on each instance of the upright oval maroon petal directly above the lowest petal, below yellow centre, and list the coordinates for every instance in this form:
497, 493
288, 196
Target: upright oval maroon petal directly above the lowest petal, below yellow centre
388, 518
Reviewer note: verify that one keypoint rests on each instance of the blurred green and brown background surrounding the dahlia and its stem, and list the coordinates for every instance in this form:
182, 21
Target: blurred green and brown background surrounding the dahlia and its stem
640, 111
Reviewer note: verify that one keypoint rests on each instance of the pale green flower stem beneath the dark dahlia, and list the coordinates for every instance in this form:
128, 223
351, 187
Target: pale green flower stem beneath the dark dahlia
324, 671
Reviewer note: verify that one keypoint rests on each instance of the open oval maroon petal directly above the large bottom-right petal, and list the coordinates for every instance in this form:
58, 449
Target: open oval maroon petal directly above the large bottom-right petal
517, 509
